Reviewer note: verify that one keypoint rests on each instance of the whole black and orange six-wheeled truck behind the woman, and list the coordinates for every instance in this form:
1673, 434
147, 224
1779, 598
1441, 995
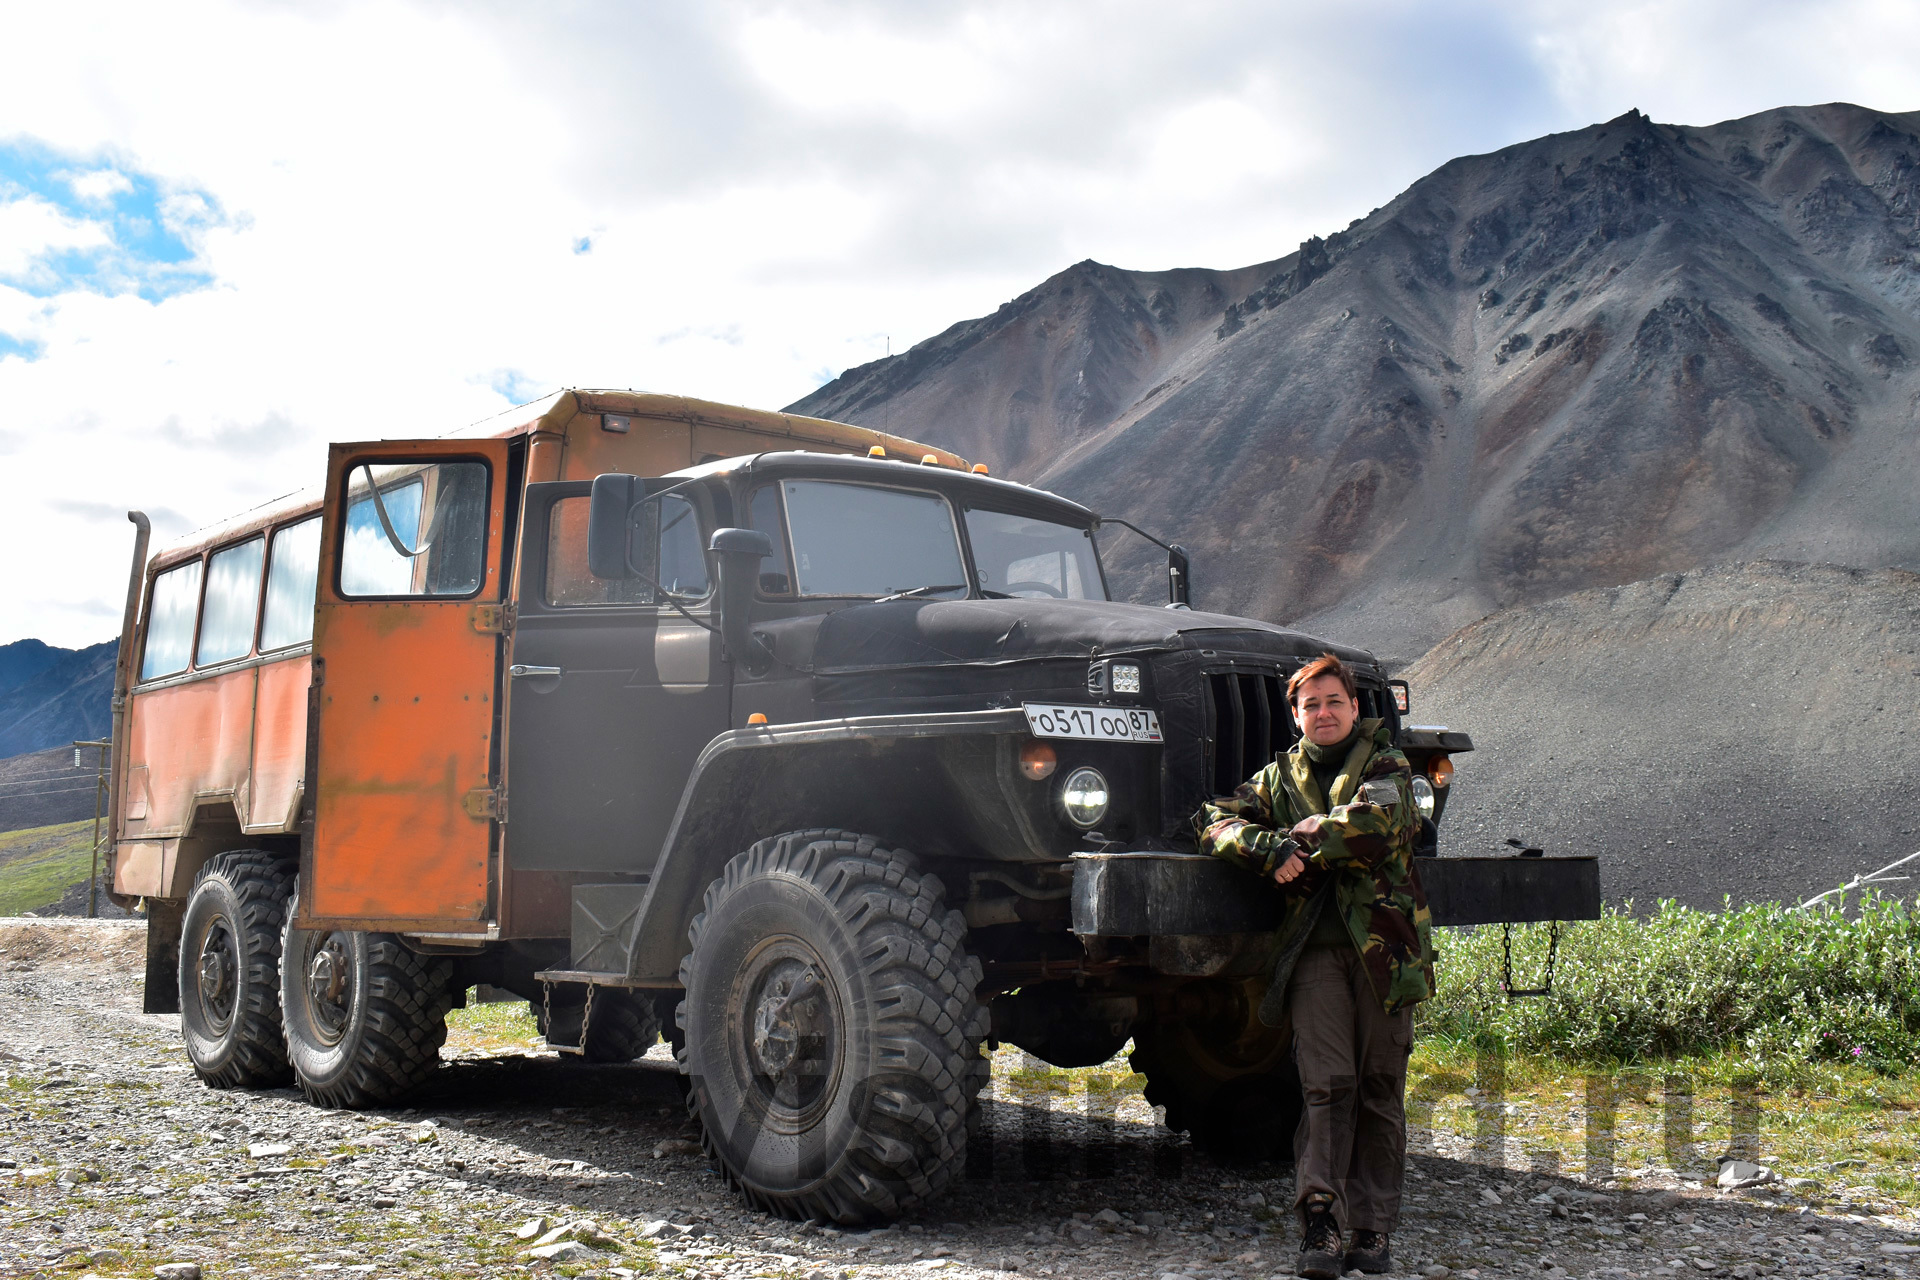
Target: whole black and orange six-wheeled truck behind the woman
813, 749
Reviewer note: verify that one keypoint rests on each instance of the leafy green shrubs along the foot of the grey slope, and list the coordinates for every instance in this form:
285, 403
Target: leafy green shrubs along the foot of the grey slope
1764, 982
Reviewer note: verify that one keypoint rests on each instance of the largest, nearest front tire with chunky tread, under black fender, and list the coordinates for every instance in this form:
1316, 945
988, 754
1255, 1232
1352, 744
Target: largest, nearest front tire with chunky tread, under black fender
832, 1030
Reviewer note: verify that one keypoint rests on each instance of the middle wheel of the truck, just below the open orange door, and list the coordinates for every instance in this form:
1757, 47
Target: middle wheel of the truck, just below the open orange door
366, 1016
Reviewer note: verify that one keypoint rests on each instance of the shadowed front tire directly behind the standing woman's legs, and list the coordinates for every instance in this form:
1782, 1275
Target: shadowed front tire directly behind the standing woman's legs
1228, 1083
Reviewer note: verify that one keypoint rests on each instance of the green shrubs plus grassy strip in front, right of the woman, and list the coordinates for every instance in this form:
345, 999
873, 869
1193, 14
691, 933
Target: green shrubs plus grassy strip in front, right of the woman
1673, 1039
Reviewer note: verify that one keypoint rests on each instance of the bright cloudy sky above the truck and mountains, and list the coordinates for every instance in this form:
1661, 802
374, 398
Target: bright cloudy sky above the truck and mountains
231, 233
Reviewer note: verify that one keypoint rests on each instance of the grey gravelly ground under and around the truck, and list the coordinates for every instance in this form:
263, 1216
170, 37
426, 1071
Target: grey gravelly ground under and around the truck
116, 1162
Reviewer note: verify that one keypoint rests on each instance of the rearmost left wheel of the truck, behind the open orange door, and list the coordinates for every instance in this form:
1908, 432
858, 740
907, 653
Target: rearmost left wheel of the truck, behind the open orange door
231, 970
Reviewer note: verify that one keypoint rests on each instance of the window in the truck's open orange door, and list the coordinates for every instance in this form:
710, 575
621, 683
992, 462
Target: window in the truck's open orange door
414, 529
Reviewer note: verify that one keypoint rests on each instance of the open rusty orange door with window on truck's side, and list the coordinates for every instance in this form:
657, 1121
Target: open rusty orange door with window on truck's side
406, 676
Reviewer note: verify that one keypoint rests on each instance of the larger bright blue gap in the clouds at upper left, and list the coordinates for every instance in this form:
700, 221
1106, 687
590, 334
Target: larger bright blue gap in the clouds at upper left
99, 225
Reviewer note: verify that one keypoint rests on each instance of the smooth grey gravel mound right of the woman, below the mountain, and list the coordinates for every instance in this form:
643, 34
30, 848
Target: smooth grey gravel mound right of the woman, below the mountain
1725, 732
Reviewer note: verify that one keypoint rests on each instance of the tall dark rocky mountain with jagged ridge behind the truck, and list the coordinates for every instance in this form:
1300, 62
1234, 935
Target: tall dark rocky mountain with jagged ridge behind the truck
1581, 362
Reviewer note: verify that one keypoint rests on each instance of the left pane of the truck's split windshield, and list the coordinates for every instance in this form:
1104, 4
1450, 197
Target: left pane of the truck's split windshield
861, 540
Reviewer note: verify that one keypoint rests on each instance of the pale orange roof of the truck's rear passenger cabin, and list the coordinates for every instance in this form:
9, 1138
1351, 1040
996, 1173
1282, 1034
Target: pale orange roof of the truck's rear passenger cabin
562, 408
